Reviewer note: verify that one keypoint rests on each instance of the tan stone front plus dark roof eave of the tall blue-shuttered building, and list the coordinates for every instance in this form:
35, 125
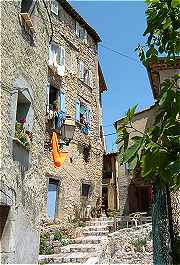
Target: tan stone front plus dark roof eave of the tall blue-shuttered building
79, 168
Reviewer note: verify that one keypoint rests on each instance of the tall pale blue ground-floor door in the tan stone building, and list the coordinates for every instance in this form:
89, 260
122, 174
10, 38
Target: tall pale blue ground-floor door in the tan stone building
52, 198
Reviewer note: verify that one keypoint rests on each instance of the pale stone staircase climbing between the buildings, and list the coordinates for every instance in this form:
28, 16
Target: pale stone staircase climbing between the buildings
86, 249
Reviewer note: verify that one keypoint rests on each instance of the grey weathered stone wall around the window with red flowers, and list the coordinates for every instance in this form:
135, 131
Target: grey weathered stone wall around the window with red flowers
23, 67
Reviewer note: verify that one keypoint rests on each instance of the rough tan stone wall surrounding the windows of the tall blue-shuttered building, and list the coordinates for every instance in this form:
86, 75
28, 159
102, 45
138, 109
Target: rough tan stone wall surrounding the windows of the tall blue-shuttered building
75, 169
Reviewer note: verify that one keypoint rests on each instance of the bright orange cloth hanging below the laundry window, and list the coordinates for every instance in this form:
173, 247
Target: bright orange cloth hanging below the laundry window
58, 156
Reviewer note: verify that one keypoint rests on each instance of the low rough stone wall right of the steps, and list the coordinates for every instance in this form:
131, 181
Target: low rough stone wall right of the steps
130, 246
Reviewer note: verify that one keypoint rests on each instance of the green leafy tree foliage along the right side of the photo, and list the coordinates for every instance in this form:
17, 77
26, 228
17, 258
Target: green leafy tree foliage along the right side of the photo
157, 150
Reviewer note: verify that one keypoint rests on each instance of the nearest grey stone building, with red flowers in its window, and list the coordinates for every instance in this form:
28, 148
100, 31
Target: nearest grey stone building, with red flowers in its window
24, 51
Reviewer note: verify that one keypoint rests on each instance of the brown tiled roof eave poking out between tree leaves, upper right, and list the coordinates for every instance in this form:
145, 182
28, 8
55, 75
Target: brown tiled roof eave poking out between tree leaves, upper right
153, 72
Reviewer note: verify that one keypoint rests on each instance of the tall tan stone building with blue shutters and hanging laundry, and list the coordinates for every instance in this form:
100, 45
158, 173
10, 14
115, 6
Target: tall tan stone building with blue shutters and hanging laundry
76, 83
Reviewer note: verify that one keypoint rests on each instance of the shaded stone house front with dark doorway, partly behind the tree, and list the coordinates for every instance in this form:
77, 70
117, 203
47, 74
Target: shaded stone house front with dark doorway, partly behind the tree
132, 190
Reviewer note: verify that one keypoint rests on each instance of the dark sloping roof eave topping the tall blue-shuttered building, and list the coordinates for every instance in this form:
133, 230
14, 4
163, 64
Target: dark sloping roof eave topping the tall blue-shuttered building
69, 9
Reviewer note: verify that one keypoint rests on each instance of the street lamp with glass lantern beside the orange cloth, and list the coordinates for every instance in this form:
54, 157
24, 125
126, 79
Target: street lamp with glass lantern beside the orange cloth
67, 129
